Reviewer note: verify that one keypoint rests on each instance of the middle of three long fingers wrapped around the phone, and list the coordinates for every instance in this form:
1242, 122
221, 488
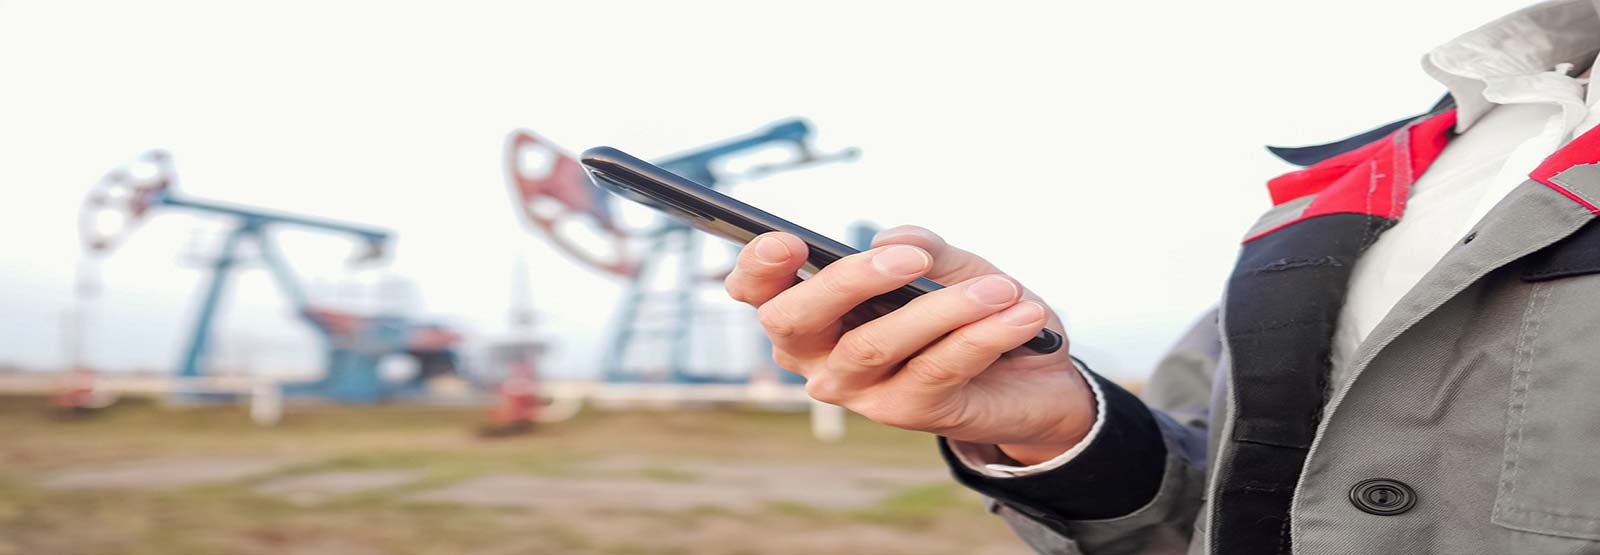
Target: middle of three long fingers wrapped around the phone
874, 349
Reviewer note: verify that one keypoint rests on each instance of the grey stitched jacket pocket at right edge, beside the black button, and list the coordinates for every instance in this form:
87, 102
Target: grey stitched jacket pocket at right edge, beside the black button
1551, 469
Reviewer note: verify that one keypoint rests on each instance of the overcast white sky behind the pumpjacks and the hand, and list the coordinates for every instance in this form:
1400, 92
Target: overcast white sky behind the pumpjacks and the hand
1108, 154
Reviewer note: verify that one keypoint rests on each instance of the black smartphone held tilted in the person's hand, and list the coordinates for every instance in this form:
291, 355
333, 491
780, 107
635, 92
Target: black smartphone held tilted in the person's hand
740, 223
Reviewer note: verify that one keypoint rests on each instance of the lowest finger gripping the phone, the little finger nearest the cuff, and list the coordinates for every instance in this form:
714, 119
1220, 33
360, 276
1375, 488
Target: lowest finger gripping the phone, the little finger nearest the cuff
967, 353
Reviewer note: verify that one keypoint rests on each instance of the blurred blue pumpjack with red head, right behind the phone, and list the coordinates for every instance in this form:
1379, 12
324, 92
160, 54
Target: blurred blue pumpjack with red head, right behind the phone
660, 333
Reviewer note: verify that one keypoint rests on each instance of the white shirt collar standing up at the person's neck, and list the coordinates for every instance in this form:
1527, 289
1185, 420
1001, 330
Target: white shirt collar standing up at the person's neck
1514, 49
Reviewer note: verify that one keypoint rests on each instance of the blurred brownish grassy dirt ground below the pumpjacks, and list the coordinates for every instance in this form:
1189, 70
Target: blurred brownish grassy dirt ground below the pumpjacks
140, 479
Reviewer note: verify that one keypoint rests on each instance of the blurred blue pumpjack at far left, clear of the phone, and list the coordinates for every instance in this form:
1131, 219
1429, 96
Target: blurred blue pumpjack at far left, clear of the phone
356, 346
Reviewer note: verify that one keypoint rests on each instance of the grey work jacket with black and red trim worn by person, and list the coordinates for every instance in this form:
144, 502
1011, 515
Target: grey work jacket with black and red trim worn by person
1470, 421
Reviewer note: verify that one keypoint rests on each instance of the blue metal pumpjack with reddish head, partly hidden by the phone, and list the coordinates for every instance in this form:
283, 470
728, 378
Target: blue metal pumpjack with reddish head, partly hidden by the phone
671, 246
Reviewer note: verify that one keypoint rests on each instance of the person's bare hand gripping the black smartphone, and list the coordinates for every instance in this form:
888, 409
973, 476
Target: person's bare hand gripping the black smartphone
937, 365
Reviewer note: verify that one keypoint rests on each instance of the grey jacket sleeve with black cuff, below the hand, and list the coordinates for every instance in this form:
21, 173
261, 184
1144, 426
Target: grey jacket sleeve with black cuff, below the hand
1140, 484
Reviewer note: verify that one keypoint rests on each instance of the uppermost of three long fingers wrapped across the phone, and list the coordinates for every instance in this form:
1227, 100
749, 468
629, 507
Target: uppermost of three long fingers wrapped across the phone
807, 316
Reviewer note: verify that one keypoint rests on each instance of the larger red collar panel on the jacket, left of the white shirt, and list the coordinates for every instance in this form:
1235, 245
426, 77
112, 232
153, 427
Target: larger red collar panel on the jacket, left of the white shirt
1374, 180
